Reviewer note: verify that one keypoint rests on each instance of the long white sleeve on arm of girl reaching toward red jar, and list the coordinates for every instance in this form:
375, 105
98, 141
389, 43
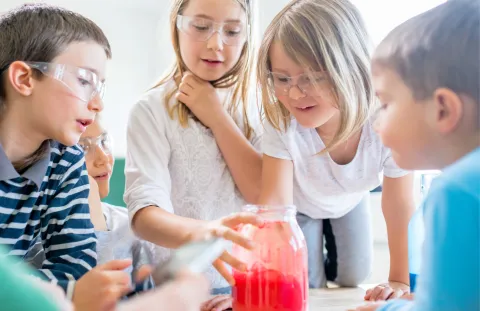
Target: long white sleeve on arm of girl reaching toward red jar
147, 177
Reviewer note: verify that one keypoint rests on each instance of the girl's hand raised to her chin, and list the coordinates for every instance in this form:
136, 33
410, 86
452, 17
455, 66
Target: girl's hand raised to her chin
202, 99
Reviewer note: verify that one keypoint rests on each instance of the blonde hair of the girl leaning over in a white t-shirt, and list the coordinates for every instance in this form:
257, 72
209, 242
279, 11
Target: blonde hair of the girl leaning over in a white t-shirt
322, 35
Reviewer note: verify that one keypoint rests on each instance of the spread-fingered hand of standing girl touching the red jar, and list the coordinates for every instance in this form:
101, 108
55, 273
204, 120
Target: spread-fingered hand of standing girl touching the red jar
225, 228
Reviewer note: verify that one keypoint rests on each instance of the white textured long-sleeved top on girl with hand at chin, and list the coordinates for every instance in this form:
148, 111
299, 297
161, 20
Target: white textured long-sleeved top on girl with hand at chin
179, 169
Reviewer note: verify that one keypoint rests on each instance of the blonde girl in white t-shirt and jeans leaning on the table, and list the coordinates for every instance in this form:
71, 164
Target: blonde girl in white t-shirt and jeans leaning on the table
320, 150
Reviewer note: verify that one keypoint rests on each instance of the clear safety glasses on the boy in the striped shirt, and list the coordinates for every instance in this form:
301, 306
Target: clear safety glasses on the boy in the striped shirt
83, 83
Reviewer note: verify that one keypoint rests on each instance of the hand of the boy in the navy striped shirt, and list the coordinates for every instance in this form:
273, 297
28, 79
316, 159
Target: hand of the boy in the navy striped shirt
101, 287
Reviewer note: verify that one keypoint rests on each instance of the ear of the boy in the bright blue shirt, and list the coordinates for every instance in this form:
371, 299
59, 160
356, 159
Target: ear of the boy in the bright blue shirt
449, 109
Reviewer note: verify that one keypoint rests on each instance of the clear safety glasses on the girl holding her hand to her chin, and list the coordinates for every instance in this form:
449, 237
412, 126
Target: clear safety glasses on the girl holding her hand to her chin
202, 29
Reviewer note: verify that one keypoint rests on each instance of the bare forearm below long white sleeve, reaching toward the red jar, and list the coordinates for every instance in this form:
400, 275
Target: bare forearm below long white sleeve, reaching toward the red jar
163, 228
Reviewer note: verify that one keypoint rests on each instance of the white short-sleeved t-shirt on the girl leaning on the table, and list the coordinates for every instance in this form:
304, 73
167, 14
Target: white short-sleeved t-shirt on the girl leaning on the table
322, 189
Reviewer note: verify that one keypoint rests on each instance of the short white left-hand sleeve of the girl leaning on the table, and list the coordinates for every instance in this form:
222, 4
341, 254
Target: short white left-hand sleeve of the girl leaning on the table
273, 143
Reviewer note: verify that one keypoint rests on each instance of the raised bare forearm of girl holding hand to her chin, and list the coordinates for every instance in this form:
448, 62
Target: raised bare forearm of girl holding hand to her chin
244, 162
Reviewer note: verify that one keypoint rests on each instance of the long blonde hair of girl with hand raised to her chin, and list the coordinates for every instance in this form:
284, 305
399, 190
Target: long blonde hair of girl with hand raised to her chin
239, 76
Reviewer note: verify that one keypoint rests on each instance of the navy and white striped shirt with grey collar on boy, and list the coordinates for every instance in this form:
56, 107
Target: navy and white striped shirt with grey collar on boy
49, 201
